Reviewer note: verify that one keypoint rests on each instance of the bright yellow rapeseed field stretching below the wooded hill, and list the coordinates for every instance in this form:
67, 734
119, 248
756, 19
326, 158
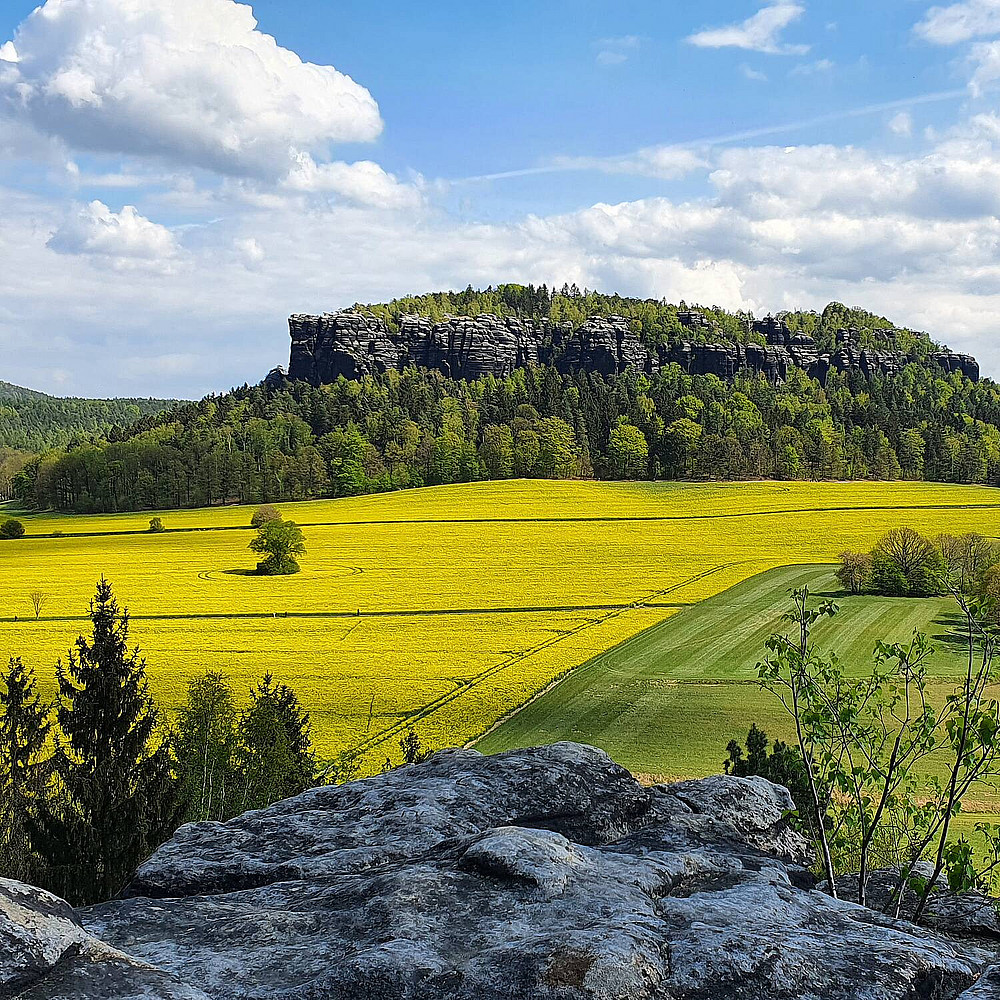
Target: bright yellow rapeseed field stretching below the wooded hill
443, 608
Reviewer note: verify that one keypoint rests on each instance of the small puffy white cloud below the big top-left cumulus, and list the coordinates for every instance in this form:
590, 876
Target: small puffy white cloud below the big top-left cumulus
125, 237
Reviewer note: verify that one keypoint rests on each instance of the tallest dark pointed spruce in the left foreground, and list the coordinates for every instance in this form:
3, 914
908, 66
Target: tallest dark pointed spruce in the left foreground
118, 798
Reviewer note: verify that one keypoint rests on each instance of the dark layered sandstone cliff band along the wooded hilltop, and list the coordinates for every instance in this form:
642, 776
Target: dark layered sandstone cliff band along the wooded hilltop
356, 344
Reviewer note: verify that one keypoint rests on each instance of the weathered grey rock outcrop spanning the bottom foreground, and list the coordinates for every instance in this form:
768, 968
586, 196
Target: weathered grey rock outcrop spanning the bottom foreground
548, 874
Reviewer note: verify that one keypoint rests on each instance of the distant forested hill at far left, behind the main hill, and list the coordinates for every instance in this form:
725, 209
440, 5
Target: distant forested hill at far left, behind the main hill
34, 421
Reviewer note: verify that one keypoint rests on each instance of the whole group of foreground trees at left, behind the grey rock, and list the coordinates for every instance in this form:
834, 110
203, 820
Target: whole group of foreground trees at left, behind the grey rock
93, 783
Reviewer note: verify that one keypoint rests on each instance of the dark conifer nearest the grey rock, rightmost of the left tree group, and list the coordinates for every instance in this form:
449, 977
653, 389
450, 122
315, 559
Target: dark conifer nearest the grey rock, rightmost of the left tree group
276, 758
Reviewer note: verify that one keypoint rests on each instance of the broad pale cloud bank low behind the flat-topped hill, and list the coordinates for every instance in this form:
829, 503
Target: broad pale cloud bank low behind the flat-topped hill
912, 237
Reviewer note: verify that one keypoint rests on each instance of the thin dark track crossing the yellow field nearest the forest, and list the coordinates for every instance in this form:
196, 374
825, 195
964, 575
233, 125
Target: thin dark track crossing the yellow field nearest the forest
581, 519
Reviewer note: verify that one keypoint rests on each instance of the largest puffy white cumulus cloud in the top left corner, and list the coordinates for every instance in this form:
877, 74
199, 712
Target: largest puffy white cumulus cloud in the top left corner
190, 81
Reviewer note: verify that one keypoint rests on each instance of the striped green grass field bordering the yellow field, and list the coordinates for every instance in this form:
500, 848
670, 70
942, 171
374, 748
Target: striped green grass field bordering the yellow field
666, 702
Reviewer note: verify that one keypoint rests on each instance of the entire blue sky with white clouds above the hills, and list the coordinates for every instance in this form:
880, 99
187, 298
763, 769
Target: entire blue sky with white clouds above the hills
173, 183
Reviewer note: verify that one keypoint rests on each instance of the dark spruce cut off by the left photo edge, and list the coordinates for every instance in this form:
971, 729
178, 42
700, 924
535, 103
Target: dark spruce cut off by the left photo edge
24, 768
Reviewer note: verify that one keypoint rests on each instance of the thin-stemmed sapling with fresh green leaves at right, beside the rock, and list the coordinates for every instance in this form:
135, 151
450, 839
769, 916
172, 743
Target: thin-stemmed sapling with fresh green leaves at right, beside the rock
865, 741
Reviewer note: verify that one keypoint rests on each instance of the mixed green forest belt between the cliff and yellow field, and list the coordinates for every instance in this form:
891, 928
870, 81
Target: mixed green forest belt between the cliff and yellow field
417, 428
